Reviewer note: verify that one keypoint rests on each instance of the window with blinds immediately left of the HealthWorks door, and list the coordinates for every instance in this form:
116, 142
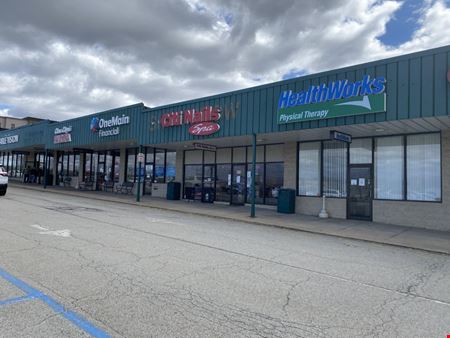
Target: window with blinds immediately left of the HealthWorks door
335, 169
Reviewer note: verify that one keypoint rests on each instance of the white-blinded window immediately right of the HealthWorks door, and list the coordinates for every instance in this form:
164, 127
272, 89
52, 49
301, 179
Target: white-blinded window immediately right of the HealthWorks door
389, 168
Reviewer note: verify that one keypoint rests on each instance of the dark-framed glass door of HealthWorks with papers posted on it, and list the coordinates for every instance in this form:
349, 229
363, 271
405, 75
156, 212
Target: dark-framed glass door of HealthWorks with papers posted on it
359, 201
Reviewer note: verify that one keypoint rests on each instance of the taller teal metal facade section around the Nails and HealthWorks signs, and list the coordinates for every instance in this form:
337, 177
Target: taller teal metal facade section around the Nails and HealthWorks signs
416, 87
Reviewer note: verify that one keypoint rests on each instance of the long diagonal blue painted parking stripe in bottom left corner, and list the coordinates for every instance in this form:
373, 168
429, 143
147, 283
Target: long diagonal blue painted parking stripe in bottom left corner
54, 305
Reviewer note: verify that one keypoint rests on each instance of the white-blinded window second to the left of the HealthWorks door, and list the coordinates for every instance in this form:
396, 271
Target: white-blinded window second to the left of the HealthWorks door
309, 169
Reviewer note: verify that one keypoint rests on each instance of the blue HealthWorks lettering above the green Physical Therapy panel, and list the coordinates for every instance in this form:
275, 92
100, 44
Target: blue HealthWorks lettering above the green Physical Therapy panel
336, 90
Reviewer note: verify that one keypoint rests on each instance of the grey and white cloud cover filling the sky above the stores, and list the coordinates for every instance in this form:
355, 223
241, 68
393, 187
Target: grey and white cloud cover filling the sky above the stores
59, 62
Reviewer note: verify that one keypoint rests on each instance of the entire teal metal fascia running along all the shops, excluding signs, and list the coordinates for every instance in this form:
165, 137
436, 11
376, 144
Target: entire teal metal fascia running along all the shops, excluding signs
416, 87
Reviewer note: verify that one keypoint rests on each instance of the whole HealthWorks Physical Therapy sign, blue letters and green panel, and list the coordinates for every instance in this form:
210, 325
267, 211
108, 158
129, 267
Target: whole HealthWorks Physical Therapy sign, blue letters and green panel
338, 98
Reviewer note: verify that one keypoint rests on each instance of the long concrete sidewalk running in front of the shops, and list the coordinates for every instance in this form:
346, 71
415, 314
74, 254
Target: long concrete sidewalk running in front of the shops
422, 239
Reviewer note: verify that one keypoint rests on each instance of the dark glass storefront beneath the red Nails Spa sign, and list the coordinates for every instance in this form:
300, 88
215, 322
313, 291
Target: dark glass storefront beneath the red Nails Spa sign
225, 175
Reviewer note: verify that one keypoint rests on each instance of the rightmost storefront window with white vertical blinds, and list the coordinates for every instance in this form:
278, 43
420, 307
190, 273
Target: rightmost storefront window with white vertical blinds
423, 162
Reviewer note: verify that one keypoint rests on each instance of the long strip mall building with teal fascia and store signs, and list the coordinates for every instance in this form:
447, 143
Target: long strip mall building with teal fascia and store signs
396, 169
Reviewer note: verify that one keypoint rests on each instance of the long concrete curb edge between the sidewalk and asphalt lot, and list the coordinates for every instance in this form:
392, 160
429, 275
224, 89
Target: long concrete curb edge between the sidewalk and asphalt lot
445, 251
